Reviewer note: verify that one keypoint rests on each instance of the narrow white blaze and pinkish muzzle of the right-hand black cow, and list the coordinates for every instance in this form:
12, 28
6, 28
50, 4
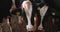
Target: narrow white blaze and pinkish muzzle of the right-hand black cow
43, 11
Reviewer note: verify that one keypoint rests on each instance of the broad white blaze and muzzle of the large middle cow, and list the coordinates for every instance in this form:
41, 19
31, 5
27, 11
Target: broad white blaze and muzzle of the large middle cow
27, 7
